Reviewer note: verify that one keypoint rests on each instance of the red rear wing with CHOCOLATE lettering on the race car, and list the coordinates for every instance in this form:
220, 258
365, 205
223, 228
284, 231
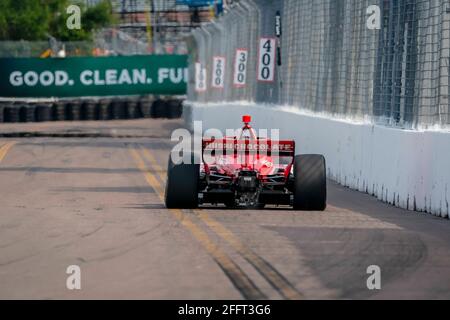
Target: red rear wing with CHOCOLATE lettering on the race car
230, 146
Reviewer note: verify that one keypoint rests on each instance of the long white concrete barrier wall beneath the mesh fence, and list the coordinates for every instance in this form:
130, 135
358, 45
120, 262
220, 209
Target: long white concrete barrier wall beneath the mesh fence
409, 169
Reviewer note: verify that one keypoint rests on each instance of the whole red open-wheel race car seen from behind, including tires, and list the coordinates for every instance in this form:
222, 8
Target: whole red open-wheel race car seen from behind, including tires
249, 172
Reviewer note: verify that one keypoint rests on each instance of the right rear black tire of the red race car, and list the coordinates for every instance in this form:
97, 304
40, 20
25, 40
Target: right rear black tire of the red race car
310, 183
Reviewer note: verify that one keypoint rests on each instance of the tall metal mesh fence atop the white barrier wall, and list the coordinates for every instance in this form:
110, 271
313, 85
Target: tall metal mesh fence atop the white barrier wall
330, 60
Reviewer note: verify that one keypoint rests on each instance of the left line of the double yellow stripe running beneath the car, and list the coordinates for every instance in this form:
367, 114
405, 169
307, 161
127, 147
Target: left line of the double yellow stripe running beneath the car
241, 281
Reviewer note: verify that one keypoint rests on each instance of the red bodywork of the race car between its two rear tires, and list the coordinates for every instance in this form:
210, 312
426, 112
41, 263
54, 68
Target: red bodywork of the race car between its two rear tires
227, 161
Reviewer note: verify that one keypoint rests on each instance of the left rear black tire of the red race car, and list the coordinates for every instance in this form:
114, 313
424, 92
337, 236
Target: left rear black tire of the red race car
182, 185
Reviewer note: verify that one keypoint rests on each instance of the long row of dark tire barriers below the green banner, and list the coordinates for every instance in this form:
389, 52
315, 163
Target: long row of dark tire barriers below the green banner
92, 109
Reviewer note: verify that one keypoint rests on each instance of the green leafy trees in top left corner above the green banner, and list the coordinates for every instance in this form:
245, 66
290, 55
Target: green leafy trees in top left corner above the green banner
36, 19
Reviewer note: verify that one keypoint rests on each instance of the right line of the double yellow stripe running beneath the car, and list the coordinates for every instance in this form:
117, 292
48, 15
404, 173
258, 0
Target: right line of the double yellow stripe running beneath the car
272, 276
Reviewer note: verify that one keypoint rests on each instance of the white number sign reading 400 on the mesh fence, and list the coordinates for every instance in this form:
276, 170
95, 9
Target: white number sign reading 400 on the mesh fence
266, 59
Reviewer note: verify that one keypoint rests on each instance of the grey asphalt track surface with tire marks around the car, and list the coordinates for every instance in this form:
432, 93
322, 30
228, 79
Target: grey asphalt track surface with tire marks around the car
90, 194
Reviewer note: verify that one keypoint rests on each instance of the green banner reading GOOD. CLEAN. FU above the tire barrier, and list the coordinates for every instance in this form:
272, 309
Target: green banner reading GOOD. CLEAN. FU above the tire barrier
88, 76
